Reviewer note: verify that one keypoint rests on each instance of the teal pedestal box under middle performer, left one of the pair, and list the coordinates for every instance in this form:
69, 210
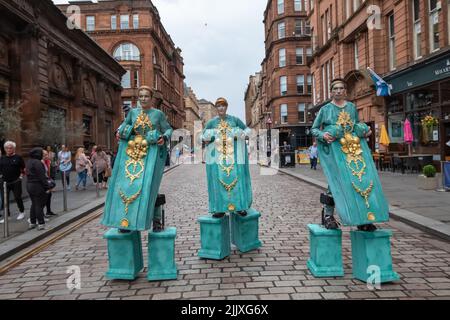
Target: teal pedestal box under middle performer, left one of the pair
215, 237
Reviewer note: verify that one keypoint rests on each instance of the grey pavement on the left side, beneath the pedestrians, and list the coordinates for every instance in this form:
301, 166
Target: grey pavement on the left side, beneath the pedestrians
80, 203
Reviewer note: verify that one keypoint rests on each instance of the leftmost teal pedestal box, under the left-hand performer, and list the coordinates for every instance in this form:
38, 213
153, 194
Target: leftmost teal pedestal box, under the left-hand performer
125, 254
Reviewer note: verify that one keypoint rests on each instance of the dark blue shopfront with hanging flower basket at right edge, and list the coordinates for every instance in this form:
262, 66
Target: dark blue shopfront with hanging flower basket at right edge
421, 94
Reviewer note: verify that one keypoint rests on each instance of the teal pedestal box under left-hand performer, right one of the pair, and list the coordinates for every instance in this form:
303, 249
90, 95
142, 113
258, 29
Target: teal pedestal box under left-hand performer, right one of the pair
161, 255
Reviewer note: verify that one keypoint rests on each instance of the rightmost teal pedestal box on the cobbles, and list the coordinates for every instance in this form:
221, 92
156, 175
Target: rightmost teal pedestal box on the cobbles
372, 249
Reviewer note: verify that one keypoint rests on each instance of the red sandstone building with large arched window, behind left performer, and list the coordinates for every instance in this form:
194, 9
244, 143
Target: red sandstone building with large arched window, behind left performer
132, 32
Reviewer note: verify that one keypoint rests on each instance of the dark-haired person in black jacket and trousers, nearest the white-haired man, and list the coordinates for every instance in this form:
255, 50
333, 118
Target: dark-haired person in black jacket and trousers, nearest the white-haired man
38, 187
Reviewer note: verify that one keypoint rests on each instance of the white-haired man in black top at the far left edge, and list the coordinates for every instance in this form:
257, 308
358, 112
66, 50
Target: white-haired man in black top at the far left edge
12, 169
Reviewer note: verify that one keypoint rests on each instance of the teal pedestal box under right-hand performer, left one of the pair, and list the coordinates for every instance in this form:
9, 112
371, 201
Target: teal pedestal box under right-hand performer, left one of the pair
325, 252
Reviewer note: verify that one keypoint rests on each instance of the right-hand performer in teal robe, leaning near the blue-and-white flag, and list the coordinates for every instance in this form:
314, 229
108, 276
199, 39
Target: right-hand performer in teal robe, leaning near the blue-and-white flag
354, 186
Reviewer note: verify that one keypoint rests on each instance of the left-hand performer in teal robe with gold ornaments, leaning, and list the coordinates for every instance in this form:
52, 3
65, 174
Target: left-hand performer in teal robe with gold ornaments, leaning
139, 166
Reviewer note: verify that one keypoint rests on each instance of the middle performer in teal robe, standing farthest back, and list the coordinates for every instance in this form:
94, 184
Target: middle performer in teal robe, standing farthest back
227, 165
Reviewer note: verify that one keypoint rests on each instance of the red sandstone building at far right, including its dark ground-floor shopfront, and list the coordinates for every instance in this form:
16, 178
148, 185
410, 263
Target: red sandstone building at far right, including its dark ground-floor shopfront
408, 44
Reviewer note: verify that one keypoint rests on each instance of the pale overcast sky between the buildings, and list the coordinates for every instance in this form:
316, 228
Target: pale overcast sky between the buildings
222, 43
